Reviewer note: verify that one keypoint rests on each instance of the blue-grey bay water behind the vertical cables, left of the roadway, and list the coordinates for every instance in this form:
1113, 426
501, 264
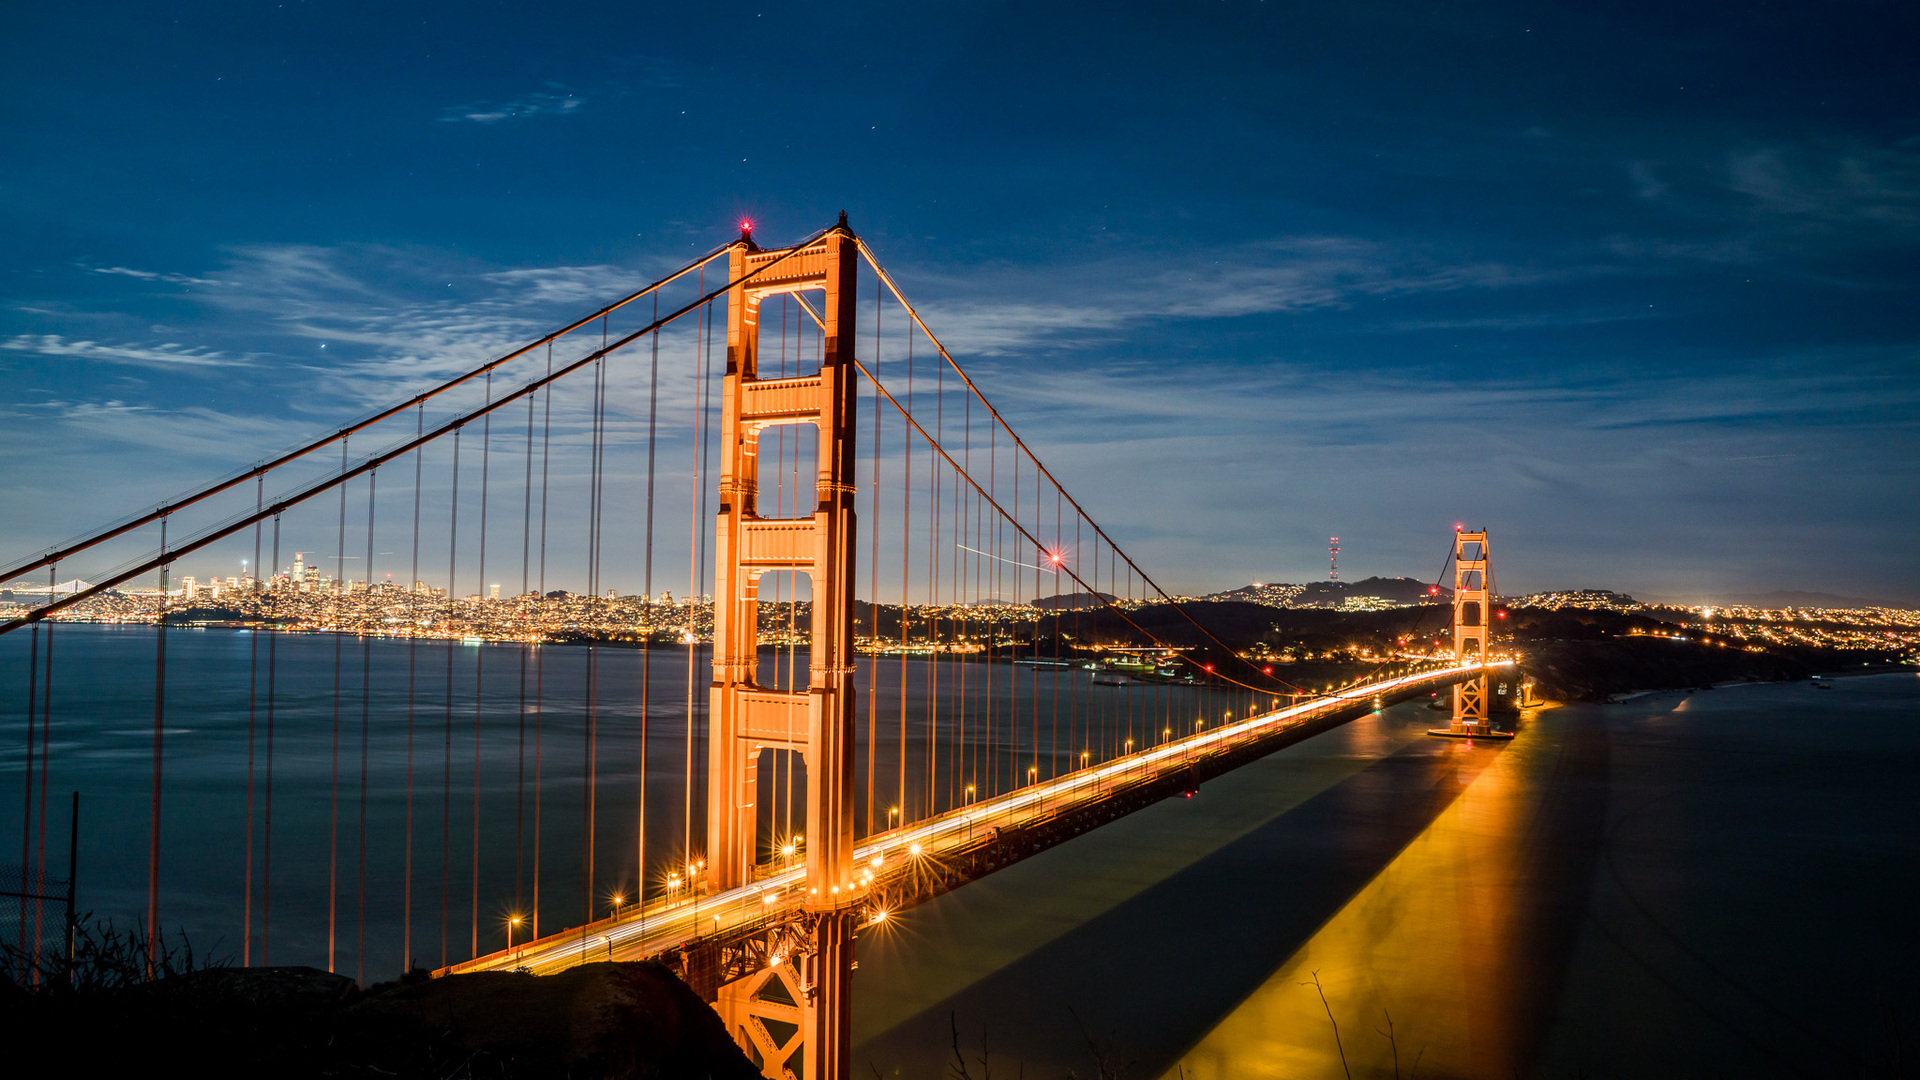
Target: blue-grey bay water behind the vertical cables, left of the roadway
487, 745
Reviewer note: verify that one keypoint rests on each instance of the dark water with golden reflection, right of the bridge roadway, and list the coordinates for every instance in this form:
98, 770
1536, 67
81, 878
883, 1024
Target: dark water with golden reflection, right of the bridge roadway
1710, 885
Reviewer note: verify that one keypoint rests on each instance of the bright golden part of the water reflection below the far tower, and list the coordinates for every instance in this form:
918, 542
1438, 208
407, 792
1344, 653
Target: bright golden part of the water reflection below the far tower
1428, 946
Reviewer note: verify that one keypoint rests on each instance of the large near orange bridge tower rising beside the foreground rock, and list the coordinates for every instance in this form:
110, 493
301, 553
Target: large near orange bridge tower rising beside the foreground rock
794, 1016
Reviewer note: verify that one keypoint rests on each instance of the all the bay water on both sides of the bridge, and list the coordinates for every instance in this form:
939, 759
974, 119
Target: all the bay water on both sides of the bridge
1685, 885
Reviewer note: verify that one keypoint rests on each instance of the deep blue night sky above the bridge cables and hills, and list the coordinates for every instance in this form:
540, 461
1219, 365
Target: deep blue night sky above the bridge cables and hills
1629, 285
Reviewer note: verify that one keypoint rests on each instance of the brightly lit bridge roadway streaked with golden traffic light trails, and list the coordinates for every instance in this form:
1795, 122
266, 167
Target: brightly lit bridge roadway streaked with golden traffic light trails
907, 866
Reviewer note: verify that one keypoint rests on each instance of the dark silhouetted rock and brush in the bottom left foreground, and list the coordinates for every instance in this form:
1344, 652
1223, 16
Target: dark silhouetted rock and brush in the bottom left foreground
610, 1021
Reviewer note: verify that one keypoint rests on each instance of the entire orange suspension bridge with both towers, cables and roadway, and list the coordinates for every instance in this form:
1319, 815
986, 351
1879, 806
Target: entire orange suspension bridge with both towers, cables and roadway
848, 756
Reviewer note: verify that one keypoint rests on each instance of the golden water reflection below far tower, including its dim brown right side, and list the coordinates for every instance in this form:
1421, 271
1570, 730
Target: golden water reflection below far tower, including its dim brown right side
1445, 958
